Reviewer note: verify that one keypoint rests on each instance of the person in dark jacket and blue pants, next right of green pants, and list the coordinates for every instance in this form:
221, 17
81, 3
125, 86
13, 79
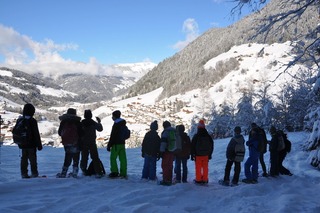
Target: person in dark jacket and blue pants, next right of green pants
150, 152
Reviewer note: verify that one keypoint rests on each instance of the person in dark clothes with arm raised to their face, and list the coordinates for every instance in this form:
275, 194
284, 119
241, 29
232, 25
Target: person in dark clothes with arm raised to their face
88, 143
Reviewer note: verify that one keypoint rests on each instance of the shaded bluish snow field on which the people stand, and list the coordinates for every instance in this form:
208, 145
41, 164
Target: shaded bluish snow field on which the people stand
298, 193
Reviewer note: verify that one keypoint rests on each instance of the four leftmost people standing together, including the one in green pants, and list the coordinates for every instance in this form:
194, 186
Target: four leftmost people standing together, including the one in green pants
79, 140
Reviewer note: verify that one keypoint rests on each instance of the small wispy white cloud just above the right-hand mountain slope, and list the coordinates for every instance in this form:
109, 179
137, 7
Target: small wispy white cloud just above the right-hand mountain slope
191, 29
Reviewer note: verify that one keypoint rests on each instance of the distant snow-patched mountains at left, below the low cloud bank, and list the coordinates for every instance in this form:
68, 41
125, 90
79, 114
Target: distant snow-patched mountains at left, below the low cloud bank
21, 87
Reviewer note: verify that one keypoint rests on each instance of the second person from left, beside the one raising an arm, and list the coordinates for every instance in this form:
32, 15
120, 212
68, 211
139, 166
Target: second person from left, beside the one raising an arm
70, 131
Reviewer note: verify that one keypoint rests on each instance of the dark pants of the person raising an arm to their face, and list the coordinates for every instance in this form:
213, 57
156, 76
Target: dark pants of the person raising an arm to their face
93, 150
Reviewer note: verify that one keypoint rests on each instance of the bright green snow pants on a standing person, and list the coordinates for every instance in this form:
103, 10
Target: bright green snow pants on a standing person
118, 150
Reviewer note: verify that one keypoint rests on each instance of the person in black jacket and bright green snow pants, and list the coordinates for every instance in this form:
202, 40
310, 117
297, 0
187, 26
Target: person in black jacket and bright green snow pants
117, 147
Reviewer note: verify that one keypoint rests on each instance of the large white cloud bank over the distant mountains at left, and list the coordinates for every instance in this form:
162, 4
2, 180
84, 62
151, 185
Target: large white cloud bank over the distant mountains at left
22, 53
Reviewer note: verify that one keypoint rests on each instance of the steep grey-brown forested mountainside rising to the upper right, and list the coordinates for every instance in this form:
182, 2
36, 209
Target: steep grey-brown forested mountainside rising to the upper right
186, 70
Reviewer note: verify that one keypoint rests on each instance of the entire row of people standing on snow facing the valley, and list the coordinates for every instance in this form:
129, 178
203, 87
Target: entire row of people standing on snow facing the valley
173, 146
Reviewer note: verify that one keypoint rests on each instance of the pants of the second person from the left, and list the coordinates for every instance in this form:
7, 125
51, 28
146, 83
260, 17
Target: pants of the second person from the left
72, 154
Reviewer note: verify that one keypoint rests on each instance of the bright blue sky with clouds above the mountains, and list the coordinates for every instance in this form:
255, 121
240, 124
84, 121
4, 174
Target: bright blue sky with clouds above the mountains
104, 32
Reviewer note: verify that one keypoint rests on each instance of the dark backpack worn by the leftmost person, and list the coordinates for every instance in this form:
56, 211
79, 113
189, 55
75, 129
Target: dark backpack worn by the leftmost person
21, 132
